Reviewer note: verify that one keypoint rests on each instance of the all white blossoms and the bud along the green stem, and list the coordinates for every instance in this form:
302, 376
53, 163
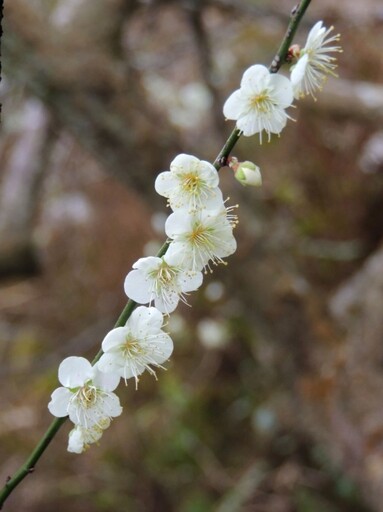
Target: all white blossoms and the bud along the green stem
200, 236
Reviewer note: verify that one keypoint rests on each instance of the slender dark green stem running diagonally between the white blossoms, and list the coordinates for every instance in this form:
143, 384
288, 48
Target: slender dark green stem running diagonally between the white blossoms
221, 160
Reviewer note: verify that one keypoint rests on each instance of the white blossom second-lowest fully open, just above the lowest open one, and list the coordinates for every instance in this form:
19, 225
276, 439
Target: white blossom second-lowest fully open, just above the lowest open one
138, 346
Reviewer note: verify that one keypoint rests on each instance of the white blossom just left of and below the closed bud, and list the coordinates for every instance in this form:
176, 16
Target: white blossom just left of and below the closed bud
191, 183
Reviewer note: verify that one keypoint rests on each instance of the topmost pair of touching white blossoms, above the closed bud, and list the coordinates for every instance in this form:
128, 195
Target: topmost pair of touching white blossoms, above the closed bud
261, 101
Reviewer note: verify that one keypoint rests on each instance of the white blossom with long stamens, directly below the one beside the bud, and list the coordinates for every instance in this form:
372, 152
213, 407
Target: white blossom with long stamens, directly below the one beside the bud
201, 237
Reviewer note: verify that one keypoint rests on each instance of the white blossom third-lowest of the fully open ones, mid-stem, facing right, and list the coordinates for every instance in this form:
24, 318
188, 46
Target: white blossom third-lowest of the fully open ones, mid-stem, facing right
162, 281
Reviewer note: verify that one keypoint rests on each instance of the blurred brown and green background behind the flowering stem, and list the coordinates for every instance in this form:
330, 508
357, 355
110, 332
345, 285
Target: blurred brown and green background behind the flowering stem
272, 401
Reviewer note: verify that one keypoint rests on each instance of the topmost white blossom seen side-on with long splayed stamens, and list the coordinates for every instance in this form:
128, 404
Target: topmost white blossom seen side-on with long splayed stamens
314, 64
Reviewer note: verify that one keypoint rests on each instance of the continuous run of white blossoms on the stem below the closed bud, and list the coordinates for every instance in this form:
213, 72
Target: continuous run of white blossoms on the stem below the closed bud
200, 231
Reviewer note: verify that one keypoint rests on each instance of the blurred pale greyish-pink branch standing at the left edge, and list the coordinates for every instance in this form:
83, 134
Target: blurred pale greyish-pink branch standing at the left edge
21, 191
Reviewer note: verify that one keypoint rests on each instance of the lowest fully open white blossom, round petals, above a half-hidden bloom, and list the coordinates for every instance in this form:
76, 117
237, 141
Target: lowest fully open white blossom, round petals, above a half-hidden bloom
86, 396
